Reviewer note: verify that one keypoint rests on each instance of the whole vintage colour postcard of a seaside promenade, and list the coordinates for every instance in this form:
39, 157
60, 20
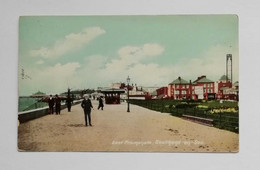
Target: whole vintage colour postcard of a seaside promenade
166, 83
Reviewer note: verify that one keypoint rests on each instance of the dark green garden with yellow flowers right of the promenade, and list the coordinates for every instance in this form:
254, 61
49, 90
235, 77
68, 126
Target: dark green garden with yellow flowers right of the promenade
219, 113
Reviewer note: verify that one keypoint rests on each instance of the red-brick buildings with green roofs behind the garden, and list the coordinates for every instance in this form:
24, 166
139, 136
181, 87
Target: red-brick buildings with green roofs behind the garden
201, 88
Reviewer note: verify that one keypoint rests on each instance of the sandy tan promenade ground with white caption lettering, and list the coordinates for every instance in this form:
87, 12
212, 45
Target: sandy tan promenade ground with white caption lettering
114, 129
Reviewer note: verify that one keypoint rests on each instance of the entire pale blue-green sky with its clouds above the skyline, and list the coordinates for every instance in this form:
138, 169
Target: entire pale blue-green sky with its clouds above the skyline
91, 51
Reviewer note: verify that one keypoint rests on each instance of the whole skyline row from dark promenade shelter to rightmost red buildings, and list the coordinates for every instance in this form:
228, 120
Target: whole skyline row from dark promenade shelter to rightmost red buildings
178, 89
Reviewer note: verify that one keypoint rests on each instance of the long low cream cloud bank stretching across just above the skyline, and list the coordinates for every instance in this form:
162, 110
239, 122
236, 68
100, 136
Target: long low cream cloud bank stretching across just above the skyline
97, 70
